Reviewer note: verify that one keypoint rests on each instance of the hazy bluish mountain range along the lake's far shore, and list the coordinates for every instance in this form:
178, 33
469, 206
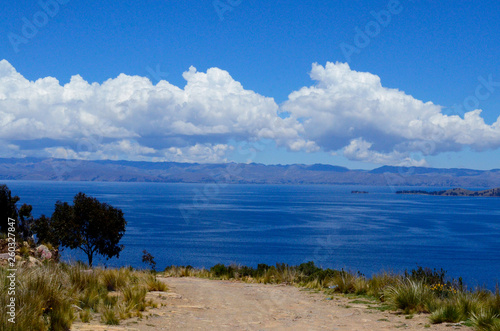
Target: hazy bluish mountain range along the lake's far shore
240, 173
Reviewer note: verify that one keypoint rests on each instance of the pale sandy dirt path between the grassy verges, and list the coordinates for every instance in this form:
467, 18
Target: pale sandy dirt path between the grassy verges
201, 304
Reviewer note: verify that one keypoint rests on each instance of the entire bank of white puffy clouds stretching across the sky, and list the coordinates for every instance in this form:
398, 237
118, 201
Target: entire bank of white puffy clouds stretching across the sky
130, 118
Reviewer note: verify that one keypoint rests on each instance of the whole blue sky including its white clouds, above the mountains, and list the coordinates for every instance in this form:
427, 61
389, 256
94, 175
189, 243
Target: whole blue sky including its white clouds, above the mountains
259, 54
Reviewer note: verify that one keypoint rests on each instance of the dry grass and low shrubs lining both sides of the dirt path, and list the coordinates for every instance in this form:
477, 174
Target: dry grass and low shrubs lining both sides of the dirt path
52, 296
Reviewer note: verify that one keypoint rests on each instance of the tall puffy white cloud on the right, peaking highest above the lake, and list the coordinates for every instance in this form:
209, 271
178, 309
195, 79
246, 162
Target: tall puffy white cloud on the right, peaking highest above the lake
352, 111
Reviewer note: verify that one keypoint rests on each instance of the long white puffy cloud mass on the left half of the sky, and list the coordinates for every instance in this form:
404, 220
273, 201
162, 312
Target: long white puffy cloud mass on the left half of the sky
129, 117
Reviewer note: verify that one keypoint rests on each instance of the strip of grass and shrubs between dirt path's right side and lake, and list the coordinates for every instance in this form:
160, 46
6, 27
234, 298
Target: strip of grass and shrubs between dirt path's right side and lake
421, 290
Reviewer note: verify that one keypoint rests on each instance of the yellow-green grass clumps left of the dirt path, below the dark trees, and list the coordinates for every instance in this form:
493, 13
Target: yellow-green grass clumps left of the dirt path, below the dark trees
53, 295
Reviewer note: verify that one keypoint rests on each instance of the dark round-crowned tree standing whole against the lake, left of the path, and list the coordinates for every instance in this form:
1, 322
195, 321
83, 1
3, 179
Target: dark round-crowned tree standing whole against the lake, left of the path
92, 226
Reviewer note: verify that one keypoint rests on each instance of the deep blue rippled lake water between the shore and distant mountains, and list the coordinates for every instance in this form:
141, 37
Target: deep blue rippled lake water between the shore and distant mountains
205, 224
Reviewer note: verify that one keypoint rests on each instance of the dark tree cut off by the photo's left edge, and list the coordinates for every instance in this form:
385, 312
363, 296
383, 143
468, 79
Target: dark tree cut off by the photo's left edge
8, 209
